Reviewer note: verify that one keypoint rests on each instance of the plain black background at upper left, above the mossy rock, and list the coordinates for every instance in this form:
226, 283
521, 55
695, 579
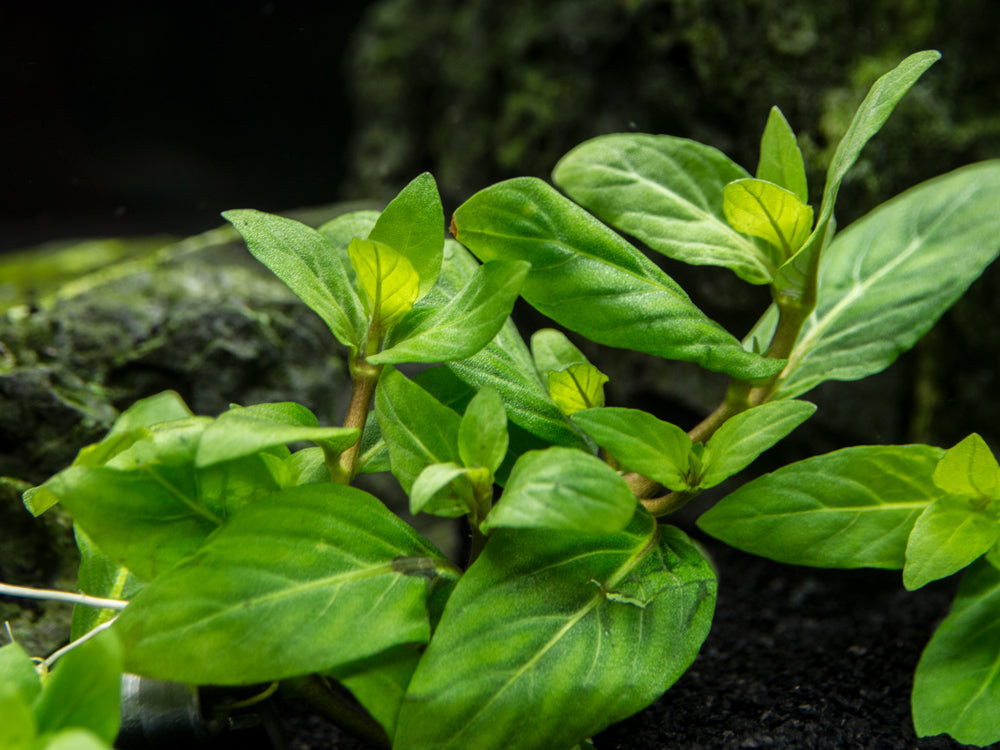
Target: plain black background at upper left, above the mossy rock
123, 118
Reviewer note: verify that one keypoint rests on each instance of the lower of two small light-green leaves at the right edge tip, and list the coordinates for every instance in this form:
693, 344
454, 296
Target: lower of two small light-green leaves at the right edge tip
948, 536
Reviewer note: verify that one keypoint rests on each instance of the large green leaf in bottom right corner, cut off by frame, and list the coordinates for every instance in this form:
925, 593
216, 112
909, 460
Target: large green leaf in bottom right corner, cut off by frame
956, 688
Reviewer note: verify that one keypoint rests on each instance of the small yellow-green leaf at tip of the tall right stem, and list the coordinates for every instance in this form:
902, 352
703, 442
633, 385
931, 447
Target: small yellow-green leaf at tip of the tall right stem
763, 209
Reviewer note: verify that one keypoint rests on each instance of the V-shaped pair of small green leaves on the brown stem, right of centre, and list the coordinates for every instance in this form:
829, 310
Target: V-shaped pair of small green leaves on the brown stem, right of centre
663, 452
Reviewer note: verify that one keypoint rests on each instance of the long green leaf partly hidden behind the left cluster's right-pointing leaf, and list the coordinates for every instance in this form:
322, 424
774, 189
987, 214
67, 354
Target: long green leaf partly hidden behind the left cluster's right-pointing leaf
505, 365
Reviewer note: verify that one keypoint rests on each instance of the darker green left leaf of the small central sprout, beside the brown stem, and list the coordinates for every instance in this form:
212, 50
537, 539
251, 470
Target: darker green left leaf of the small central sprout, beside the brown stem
418, 429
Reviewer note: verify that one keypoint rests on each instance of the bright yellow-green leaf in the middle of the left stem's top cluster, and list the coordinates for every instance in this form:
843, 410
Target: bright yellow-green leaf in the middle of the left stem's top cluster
388, 278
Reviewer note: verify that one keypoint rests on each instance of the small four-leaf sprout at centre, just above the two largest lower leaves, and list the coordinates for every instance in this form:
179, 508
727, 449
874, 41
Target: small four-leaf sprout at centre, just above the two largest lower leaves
447, 463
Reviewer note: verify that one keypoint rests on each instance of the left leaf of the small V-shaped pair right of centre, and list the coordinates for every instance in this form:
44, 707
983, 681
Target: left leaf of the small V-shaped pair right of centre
654, 448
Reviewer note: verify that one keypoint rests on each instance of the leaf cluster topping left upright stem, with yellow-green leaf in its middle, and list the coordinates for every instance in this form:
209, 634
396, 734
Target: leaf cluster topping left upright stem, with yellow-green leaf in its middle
369, 288
